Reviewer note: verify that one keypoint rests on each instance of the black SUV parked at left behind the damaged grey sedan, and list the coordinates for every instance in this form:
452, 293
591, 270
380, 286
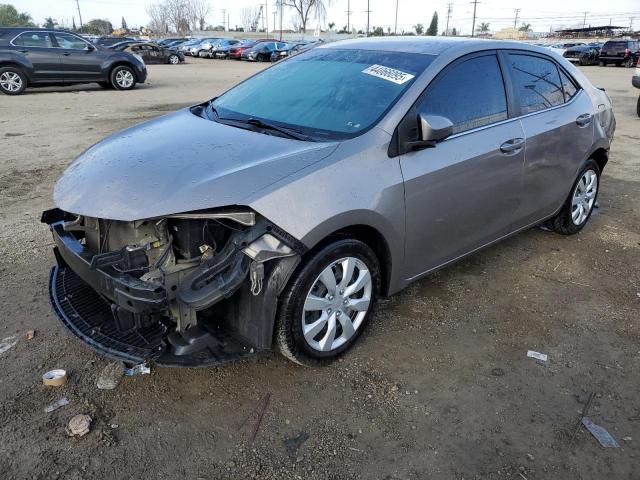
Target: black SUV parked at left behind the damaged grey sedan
33, 57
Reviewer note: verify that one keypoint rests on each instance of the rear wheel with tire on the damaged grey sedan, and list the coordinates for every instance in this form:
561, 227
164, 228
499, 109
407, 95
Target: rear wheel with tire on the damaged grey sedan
578, 207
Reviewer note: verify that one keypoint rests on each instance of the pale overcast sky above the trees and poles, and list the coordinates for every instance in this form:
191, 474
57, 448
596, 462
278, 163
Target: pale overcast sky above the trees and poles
498, 13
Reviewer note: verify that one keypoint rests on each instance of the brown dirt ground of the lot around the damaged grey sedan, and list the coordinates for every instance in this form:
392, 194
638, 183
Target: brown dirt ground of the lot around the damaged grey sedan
439, 388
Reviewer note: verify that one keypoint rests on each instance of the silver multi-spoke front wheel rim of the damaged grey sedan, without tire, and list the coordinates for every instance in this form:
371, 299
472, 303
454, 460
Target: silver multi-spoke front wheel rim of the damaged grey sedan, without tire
336, 304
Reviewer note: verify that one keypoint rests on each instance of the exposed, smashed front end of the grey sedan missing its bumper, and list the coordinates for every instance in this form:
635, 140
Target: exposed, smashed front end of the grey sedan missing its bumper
183, 290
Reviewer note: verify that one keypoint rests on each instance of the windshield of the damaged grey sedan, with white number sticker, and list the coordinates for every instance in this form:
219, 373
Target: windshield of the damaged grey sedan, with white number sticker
325, 93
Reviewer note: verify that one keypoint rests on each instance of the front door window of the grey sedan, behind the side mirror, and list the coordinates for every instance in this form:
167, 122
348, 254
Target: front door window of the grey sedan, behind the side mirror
471, 94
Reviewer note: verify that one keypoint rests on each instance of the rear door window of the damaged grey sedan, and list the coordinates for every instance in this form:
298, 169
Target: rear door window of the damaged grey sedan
537, 82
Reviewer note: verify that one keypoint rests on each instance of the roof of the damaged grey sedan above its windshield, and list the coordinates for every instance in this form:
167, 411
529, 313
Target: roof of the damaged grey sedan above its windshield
425, 45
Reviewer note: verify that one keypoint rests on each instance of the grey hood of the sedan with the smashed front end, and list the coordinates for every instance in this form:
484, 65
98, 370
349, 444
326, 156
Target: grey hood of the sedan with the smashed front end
178, 163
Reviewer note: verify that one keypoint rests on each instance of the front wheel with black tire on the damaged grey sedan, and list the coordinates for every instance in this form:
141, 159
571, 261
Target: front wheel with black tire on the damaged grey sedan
328, 302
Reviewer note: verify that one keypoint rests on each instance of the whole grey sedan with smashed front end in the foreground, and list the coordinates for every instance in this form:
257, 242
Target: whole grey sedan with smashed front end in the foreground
285, 226
